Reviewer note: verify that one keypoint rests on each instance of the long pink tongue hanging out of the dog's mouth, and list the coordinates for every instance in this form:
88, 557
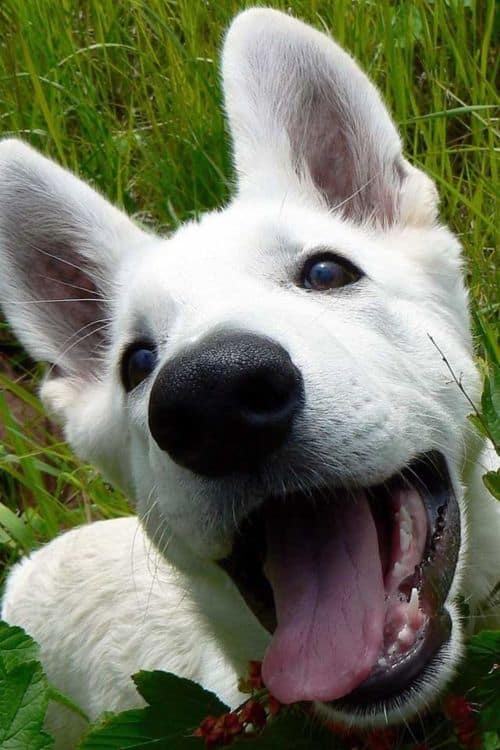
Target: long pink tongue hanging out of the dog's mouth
324, 567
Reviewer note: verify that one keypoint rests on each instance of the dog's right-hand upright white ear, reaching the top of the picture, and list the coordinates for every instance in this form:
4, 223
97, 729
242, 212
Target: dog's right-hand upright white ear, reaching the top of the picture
303, 116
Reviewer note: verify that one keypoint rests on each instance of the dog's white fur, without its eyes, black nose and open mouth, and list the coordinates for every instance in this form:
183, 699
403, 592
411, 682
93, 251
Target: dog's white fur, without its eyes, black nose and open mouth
103, 601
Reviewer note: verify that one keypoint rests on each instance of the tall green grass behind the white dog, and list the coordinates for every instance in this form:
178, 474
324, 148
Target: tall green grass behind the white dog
126, 93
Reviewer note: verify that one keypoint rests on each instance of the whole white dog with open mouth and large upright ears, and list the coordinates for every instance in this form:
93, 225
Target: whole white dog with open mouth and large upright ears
268, 385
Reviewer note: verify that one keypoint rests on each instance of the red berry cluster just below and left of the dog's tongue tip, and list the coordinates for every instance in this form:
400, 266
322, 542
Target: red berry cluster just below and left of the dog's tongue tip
248, 719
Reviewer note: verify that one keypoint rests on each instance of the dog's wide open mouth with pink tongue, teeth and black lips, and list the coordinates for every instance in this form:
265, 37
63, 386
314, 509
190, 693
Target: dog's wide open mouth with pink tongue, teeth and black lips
352, 584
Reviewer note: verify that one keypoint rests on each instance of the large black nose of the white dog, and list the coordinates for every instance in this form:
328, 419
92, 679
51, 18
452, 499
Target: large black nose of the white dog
225, 404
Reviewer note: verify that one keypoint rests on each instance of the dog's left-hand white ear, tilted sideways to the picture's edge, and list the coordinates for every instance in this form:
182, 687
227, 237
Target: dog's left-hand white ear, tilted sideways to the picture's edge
60, 244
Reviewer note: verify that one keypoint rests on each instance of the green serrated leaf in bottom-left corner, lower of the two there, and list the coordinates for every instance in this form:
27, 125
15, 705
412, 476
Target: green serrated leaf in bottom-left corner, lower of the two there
23, 703
